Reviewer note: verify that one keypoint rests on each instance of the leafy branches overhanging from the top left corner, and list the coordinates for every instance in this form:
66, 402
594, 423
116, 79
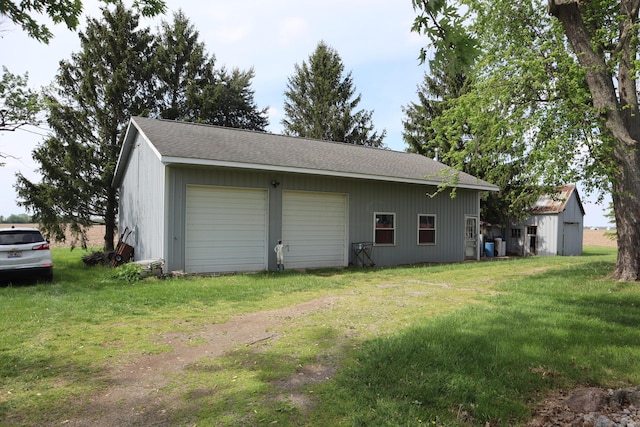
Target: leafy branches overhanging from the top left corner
61, 11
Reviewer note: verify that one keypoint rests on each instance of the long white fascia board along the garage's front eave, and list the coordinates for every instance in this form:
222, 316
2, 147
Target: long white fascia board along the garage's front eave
274, 168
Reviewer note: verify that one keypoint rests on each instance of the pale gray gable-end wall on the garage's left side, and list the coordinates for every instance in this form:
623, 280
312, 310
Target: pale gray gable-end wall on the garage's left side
142, 202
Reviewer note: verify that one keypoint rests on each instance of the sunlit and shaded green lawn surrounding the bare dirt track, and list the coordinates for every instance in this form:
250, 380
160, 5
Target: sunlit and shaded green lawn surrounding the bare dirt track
451, 345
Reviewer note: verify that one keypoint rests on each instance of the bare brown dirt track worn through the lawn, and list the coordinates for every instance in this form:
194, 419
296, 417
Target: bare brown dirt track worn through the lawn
133, 397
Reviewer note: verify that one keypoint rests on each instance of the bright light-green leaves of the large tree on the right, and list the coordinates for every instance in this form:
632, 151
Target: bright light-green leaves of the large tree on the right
529, 109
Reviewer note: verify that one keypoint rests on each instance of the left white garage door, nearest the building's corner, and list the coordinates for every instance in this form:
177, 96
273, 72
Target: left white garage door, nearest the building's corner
226, 230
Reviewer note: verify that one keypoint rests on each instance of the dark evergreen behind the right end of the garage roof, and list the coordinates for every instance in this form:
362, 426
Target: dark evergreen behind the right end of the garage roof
439, 92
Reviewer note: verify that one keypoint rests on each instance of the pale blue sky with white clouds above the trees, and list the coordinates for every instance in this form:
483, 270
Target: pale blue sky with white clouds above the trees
372, 37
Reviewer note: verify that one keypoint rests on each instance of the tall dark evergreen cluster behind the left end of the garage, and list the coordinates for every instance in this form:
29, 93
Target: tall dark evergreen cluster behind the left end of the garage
123, 70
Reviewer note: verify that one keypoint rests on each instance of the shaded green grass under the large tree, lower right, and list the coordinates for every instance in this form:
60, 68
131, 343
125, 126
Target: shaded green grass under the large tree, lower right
486, 364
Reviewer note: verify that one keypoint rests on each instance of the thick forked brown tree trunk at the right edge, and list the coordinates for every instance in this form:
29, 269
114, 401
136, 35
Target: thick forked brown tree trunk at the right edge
619, 113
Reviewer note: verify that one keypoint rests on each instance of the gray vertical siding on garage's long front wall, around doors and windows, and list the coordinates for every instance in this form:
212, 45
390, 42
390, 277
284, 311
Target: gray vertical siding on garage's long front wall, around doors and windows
364, 198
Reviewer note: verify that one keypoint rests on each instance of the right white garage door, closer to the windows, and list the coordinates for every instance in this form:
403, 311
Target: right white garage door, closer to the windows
314, 227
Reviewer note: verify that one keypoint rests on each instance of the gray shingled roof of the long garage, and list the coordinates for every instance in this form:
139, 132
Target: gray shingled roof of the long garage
189, 143
